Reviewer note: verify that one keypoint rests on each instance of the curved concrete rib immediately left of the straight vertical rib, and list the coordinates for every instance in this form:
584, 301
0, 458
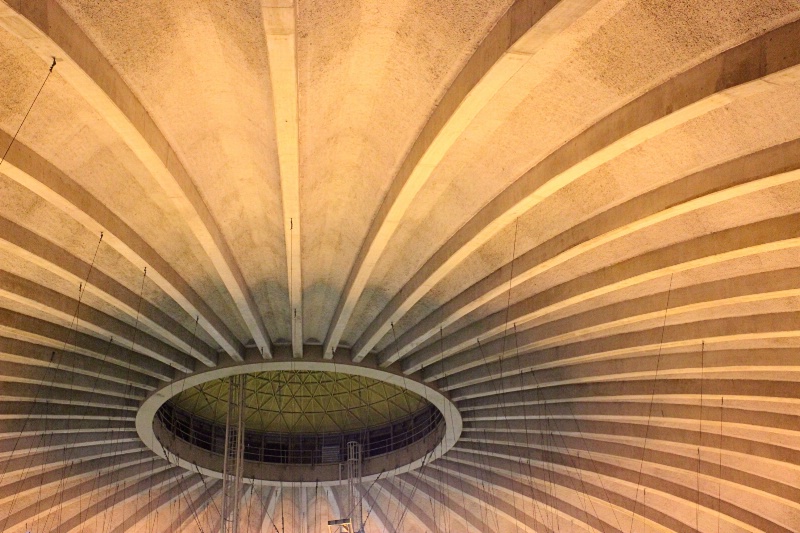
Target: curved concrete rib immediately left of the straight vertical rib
49, 32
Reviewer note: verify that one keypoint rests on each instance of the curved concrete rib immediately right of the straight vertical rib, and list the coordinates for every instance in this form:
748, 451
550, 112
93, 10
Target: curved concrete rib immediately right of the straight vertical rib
516, 37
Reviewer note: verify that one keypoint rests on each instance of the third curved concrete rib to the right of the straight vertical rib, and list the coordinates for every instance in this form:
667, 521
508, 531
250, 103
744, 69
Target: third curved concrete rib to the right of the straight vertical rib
554, 252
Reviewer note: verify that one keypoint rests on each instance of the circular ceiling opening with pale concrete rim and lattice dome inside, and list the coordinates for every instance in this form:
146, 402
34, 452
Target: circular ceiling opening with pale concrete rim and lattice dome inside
298, 419
